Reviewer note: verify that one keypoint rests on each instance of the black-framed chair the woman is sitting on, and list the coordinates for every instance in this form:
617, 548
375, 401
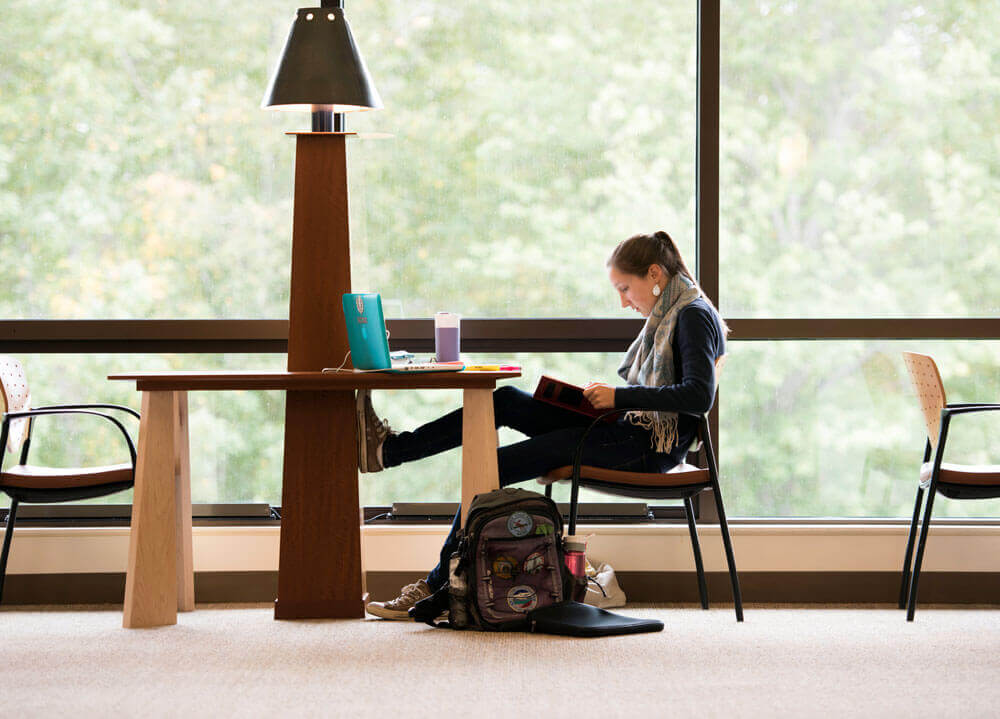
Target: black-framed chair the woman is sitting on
682, 482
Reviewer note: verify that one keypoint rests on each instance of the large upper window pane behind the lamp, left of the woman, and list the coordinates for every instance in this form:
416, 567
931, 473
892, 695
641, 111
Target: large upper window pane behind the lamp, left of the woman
141, 178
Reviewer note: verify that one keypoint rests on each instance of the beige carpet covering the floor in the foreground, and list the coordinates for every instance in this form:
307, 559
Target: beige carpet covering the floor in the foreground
237, 661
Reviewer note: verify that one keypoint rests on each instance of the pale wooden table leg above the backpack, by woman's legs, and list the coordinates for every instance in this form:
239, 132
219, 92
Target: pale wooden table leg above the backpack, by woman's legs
479, 446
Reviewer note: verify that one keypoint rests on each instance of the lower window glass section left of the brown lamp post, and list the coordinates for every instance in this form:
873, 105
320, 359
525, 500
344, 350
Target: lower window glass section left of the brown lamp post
236, 437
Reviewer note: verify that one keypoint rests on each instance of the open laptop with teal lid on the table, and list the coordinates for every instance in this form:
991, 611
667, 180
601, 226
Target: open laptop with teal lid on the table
369, 341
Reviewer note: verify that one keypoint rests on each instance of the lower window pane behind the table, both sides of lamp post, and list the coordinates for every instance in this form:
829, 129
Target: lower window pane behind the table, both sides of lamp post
236, 438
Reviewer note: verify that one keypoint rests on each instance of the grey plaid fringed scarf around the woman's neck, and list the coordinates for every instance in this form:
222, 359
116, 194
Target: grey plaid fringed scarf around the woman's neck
649, 360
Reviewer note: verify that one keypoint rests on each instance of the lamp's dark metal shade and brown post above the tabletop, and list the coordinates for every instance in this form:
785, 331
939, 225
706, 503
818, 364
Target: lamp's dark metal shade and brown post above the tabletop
320, 71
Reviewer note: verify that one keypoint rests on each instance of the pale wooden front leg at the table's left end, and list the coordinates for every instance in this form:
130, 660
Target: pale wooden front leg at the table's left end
151, 578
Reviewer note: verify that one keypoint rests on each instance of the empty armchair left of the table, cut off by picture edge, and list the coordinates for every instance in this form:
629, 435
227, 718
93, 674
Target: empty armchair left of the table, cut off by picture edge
34, 484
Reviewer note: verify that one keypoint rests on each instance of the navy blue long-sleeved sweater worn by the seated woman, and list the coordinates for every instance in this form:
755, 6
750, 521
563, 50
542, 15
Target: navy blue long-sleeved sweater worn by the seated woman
698, 341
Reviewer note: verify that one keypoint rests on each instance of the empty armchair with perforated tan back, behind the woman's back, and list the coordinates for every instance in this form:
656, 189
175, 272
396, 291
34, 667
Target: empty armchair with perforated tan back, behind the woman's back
956, 481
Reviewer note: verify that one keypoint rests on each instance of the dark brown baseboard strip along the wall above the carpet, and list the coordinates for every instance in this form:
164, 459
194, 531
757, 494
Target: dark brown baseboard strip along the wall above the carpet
639, 586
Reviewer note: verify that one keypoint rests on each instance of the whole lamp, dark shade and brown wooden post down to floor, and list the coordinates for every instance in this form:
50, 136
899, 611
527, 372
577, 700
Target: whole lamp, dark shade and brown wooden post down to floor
320, 71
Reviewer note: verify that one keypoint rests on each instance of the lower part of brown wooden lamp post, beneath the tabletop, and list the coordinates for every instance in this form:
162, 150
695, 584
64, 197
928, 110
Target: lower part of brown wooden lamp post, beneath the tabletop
319, 563
